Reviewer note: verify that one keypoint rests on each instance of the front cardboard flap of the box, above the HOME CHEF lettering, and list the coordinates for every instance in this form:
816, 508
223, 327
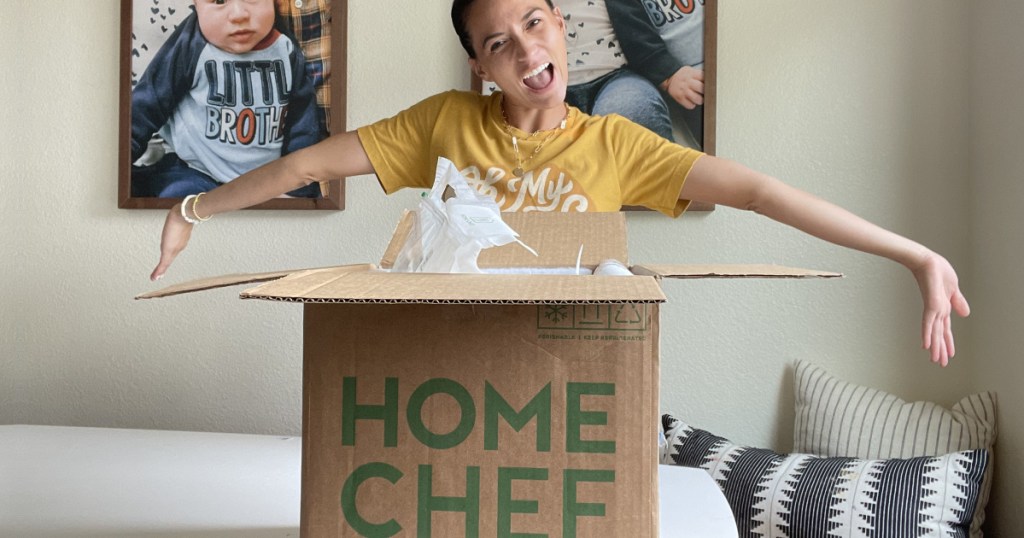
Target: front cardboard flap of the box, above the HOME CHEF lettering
381, 287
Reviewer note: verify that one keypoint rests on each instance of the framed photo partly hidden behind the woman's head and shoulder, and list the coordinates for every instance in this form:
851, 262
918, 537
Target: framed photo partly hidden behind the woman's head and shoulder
681, 33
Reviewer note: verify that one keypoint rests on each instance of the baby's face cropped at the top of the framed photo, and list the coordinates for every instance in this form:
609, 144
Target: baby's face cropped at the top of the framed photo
235, 26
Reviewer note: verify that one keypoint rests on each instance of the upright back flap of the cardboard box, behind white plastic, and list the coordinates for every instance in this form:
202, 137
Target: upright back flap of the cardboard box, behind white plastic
556, 236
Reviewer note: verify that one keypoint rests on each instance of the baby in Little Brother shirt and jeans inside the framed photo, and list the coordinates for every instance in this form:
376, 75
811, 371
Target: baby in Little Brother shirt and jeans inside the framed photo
227, 94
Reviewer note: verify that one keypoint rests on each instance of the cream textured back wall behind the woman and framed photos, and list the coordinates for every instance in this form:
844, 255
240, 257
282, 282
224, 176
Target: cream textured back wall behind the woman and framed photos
864, 104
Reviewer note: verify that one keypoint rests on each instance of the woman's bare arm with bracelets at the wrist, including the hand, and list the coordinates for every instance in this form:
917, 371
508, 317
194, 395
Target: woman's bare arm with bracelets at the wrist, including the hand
339, 156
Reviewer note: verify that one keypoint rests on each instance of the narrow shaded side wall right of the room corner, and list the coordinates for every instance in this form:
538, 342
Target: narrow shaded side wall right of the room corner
997, 106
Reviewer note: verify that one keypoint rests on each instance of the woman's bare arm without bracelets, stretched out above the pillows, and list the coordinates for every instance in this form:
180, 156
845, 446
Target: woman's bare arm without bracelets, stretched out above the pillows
720, 182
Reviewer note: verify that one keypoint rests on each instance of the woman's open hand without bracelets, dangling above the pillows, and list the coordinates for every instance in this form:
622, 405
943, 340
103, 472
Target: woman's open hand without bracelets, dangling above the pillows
942, 295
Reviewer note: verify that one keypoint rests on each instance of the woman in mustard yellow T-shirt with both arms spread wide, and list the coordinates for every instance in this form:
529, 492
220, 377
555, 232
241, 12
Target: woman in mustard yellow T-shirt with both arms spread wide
529, 150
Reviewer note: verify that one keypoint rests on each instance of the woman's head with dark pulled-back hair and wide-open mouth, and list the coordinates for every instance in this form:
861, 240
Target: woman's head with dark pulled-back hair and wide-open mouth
521, 47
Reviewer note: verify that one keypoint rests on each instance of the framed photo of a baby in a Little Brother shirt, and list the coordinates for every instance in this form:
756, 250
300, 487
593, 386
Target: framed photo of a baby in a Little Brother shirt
211, 90
